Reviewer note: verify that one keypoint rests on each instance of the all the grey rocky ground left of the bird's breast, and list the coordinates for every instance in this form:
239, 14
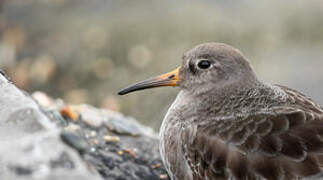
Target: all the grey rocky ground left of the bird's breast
49, 140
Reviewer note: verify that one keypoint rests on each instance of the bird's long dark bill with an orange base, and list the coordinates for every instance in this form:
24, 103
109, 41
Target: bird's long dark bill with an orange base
168, 79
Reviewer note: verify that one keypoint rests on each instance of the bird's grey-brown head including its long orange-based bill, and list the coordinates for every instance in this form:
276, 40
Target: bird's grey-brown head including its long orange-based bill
206, 67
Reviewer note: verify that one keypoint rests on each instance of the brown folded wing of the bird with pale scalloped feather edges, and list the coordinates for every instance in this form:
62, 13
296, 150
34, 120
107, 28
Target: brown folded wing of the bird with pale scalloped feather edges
285, 144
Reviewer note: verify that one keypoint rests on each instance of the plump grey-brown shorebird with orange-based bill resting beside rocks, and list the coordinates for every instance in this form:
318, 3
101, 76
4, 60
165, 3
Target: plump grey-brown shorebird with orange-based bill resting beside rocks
226, 123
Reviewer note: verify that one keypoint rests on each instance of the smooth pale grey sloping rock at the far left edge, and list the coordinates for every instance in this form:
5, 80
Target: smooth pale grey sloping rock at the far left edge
30, 144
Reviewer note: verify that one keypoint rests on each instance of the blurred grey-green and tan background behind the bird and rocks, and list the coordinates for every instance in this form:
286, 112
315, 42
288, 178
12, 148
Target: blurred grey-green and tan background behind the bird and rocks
85, 51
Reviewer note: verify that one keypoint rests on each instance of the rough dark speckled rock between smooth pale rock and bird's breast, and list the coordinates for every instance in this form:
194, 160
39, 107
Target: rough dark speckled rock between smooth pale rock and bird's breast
120, 148
